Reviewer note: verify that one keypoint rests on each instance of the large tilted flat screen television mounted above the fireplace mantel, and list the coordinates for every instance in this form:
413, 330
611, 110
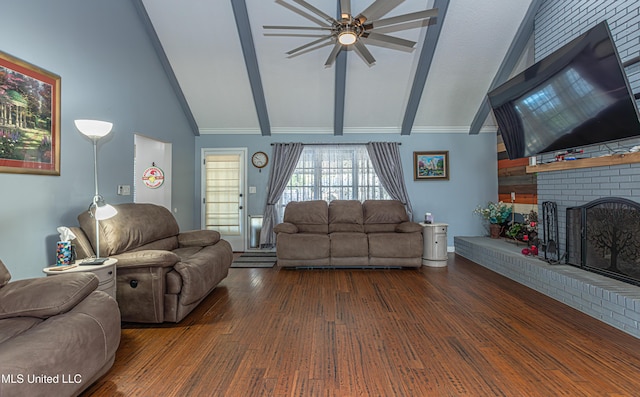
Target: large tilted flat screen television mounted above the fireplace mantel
577, 96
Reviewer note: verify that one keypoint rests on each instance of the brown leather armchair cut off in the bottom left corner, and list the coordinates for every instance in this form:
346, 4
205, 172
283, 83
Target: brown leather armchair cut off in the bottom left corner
60, 327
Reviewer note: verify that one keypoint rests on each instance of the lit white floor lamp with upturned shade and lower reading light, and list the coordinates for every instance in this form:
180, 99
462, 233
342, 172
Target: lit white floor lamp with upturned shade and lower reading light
99, 209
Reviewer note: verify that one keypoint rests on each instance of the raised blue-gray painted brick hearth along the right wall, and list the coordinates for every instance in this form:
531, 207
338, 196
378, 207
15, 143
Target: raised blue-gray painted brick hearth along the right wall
614, 302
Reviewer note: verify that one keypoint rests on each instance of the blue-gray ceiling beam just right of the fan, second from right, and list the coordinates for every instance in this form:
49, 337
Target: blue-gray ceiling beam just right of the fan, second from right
424, 64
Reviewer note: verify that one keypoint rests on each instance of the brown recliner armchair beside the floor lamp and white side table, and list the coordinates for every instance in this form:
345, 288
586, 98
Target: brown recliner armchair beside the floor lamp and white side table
162, 273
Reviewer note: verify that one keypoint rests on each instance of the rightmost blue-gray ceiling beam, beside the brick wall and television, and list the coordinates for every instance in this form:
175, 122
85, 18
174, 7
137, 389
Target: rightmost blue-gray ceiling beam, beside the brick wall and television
517, 47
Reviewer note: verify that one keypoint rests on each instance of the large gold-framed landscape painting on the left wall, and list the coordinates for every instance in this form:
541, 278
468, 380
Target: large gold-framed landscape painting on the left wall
29, 118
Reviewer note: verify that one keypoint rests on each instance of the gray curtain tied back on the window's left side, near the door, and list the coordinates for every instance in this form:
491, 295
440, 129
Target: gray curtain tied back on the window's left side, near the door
284, 159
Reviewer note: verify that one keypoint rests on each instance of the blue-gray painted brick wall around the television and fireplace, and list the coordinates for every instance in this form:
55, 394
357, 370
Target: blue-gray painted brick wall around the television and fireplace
557, 23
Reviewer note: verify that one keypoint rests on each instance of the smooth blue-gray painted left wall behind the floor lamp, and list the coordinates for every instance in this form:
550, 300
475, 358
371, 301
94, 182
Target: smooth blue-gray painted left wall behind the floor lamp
109, 71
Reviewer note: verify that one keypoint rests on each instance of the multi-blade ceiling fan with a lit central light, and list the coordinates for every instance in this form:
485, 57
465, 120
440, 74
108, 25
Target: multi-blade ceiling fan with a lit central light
348, 31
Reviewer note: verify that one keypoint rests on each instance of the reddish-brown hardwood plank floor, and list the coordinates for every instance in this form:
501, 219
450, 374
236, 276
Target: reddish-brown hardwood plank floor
459, 330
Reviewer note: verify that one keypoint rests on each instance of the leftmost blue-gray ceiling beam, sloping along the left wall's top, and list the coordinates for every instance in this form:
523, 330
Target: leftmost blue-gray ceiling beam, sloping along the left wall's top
166, 65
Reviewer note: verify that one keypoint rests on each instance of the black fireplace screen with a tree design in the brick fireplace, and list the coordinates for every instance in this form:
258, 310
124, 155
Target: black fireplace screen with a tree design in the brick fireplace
608, 238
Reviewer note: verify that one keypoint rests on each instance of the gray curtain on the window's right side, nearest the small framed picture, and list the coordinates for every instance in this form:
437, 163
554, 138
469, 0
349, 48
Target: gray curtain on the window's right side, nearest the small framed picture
385, 157
